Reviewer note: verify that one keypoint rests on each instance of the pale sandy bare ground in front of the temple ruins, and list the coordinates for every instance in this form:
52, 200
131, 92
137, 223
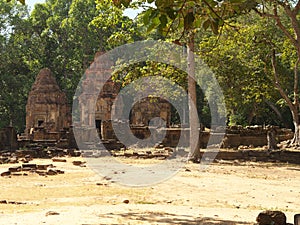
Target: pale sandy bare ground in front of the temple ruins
226, 193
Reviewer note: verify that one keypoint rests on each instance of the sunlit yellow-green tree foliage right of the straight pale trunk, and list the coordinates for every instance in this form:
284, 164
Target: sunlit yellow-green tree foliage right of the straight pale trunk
241, 62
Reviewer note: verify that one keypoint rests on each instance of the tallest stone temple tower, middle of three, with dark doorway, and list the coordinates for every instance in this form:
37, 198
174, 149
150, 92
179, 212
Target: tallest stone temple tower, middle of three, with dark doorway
98, 85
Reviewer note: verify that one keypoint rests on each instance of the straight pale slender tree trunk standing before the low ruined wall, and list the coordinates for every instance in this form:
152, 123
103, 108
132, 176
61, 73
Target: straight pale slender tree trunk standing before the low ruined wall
193, 116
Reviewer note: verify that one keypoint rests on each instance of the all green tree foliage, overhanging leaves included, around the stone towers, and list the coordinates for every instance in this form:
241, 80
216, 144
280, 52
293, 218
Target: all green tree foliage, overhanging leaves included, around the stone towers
64, 35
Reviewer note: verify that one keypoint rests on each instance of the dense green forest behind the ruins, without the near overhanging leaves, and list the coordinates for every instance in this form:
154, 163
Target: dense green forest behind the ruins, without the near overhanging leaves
64, 35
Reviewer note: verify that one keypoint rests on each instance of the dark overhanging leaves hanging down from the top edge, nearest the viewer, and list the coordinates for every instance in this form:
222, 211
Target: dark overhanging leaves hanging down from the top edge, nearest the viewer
184, 16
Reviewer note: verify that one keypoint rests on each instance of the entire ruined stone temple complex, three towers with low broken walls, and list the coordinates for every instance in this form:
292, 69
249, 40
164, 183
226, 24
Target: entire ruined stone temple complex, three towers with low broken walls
48, 116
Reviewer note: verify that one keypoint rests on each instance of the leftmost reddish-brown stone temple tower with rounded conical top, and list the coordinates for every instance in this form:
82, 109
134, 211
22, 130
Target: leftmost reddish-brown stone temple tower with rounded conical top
47, 112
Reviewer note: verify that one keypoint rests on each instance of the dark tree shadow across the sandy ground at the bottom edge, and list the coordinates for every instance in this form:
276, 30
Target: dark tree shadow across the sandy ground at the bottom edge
168, 218
